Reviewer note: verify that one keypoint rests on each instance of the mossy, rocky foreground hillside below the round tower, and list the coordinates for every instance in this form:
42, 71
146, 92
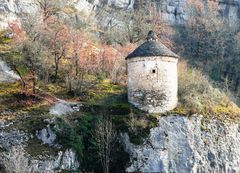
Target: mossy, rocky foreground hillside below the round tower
62, 136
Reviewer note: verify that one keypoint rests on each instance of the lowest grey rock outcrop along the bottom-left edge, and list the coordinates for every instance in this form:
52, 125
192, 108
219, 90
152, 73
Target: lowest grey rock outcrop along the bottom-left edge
18, 160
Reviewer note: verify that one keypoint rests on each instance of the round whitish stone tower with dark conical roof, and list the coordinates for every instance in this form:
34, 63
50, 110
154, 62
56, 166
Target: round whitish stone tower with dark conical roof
152, 76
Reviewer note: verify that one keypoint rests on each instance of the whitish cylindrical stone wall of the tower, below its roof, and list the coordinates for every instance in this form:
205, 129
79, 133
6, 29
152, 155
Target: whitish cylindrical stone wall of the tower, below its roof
152, 83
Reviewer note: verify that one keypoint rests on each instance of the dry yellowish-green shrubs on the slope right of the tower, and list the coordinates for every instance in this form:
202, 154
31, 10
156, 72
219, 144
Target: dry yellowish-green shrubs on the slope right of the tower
197, 94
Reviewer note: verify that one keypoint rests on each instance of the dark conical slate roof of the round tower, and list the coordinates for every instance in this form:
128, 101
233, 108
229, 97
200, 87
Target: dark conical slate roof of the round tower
151, 47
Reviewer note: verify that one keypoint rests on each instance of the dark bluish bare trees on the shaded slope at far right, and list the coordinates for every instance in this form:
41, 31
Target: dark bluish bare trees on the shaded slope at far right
209, 43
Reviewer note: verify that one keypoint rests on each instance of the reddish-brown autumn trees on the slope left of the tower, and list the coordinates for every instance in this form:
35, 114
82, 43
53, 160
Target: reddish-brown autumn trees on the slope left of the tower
53, 51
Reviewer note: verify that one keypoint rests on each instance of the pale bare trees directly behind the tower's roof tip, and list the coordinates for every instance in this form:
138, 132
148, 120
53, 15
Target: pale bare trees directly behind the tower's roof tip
131, 26
